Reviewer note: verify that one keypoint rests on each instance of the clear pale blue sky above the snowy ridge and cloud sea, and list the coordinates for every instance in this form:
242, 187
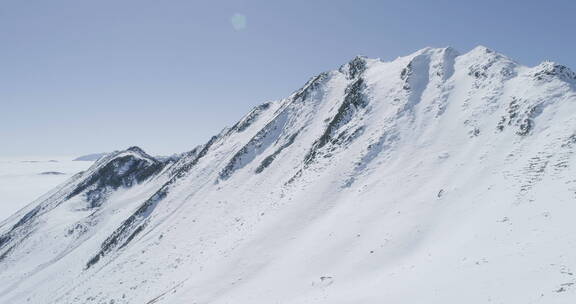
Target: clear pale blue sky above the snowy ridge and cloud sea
82, 76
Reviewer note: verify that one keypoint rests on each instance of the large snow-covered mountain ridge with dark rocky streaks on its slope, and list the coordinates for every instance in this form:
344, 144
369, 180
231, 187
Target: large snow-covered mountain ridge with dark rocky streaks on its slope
433, 178
